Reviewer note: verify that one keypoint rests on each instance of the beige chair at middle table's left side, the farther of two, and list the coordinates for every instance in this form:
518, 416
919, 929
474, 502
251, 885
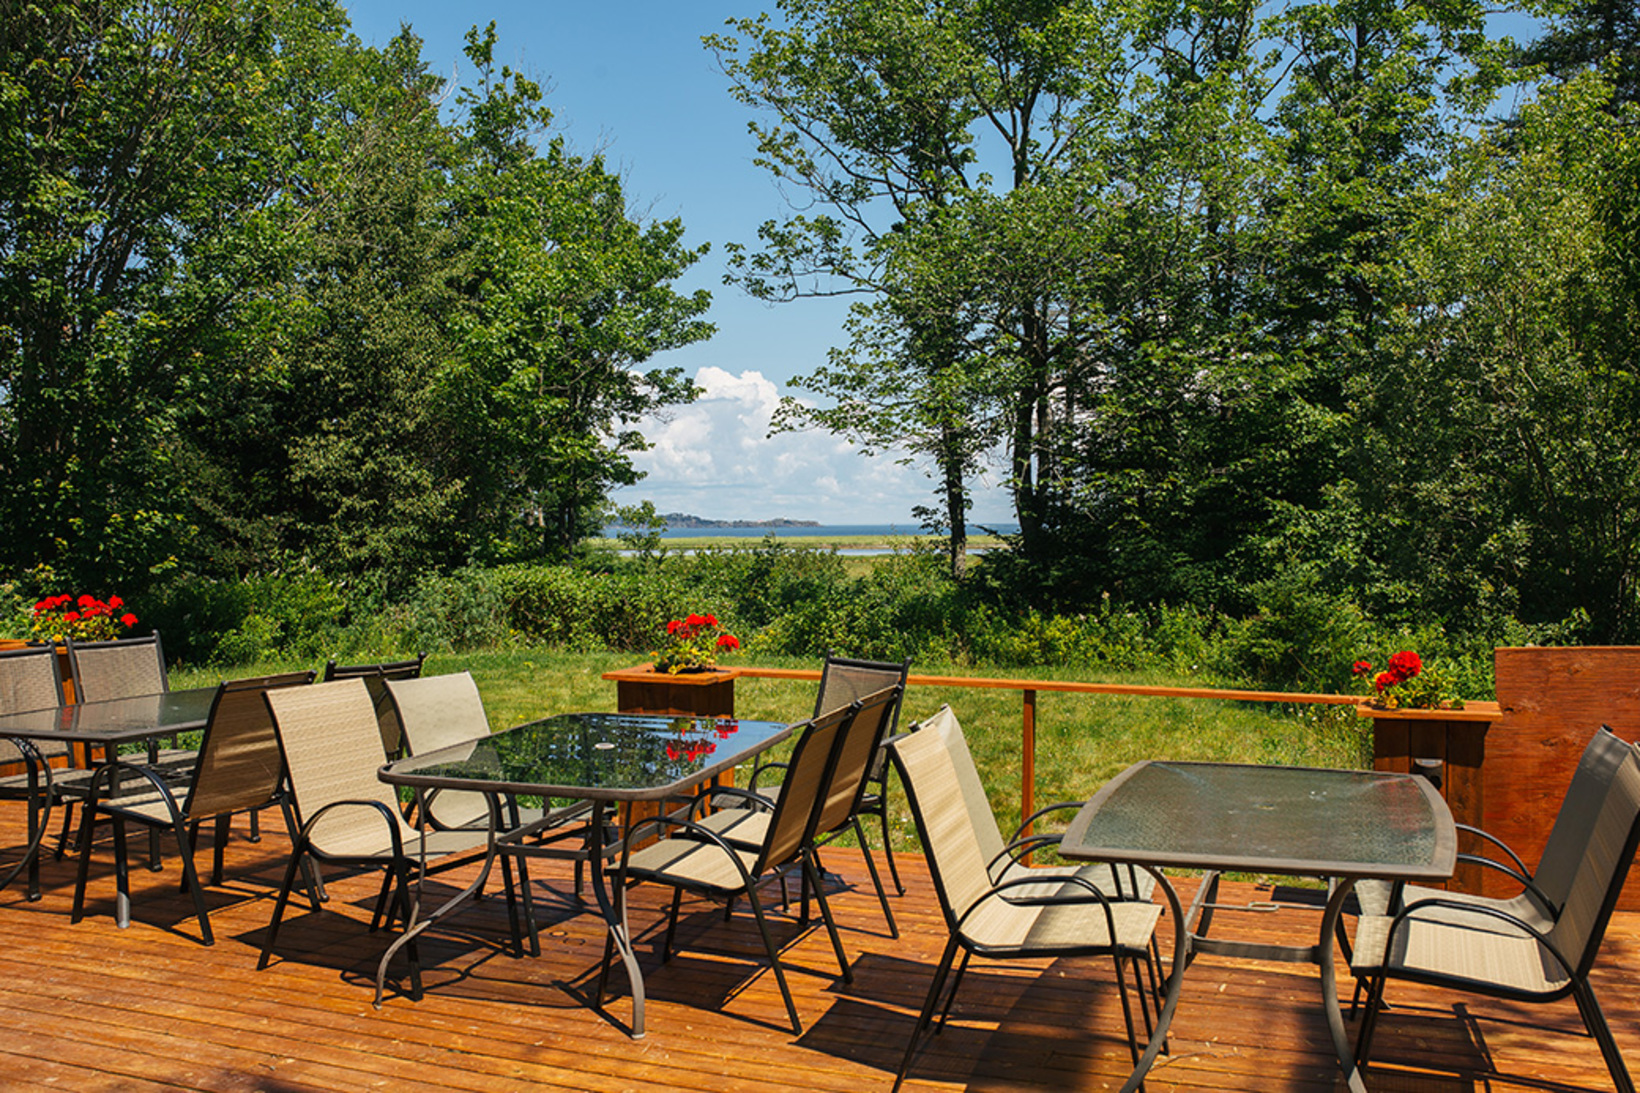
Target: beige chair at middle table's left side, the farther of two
444, 711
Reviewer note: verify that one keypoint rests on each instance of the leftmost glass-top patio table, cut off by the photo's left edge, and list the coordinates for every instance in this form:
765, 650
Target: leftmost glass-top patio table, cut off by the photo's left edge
101, 726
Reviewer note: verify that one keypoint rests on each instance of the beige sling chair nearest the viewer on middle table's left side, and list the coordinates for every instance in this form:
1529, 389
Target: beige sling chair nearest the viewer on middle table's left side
332, 746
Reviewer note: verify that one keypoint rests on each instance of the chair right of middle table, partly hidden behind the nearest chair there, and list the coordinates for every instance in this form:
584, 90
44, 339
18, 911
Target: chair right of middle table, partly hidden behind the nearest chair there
845, 787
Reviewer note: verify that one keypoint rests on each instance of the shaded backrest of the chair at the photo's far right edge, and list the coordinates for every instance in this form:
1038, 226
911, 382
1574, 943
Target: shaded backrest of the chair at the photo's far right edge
1603, 862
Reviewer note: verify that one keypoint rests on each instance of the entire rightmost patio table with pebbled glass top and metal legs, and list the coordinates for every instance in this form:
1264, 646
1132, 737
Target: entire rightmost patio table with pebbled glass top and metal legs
1337, 825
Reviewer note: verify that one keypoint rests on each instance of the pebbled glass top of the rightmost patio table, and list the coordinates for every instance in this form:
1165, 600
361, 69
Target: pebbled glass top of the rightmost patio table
1280, 820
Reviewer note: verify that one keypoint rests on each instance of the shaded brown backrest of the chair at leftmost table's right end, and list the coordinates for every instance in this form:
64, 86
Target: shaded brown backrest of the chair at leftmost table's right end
239, 764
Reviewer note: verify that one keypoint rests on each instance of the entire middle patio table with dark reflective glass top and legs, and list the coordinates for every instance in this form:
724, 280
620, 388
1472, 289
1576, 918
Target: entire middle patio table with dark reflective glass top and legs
603, 759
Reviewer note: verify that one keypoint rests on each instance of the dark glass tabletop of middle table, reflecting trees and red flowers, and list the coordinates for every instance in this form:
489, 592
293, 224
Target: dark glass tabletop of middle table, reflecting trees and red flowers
593, 756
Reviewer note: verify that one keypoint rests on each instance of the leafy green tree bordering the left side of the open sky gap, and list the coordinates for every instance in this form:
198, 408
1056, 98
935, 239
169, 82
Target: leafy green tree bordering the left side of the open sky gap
567, 295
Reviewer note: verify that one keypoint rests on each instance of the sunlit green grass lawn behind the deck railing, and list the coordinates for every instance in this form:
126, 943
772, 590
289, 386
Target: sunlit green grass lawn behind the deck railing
1082, 739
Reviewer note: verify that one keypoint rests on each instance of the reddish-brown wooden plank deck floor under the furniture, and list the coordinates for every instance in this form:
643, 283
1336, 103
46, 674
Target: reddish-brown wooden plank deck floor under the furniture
93, 1007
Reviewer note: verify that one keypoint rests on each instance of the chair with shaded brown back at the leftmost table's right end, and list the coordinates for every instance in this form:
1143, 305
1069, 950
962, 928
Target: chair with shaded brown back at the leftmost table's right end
239, 771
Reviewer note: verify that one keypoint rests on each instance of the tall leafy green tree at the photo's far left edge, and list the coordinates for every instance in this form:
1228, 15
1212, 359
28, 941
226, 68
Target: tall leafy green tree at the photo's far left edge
142, 171
